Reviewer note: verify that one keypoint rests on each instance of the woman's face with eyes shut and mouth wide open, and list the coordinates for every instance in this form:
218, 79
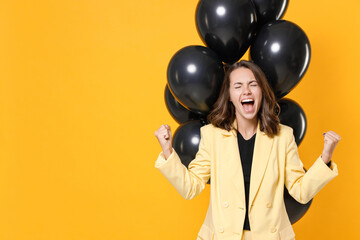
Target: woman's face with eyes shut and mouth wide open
245, 93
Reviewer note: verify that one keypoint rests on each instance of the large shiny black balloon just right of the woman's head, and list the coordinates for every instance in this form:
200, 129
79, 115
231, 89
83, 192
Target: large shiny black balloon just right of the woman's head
282, 51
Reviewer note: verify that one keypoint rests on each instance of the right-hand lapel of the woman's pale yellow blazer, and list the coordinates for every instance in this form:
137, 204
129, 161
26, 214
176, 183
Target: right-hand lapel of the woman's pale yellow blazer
262, 149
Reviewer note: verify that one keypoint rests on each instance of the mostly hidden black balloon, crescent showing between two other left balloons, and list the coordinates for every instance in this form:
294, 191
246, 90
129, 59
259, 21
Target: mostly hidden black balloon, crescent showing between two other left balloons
178, 111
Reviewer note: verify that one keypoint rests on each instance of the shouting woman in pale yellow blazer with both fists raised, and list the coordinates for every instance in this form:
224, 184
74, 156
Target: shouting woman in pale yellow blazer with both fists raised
250, 157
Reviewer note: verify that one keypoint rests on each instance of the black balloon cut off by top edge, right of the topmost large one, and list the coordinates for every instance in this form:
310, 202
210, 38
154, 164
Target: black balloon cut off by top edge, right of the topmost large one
269, 10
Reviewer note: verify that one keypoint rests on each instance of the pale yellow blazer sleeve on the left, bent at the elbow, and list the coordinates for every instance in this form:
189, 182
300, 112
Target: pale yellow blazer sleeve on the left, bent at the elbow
188, 182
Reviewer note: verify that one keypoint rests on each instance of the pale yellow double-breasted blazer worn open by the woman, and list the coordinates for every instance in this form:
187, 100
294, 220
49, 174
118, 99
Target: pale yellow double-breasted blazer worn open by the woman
276, 164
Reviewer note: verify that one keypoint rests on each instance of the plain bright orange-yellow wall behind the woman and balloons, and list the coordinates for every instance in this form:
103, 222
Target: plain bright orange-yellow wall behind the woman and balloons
81, 94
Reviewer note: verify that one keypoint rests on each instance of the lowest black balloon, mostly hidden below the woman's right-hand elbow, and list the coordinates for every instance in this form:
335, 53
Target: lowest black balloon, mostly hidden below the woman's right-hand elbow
294, 209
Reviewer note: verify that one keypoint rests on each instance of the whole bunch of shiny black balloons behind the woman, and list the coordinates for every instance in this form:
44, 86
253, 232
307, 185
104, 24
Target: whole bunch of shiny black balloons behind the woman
229, 28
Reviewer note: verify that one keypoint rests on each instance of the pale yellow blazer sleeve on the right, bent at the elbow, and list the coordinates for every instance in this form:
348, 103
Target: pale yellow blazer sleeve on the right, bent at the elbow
304, 186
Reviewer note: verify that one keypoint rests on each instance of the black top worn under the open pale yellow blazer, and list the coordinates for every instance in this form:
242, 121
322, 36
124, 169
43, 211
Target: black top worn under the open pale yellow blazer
246, 149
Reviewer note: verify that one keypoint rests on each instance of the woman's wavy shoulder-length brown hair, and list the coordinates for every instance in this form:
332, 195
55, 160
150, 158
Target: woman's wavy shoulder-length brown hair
223, 114
